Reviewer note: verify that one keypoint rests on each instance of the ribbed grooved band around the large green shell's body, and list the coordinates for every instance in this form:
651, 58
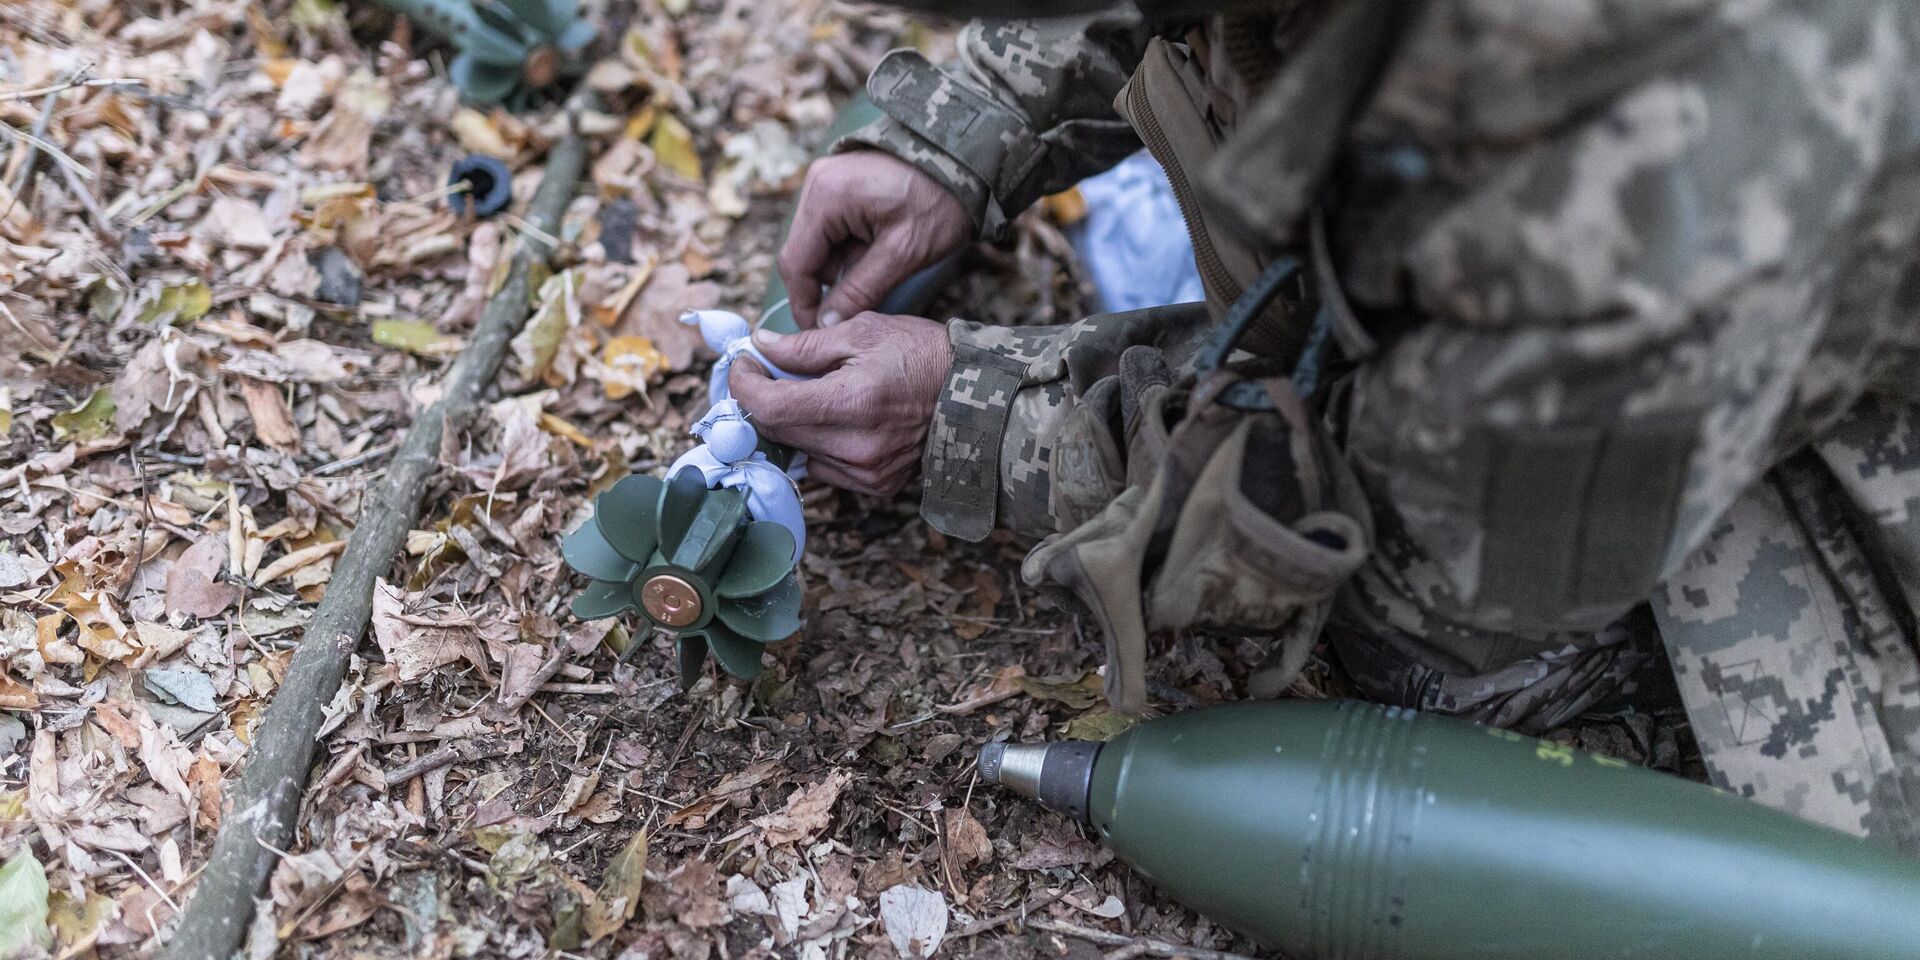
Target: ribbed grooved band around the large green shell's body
1366, 805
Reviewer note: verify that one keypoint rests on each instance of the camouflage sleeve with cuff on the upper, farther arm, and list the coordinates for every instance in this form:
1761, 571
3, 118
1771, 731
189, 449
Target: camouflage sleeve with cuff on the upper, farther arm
1026, 110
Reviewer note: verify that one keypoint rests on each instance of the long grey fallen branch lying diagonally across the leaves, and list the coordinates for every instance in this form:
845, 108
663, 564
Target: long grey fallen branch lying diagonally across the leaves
266, 802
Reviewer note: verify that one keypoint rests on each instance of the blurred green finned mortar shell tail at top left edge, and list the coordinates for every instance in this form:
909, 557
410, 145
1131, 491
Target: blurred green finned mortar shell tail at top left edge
498, 37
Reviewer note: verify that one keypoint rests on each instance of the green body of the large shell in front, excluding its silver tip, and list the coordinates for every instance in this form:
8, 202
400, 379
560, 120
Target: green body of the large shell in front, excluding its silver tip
1345, 830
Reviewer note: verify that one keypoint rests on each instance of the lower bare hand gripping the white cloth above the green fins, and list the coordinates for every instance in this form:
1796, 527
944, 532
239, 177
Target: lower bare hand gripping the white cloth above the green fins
865, 418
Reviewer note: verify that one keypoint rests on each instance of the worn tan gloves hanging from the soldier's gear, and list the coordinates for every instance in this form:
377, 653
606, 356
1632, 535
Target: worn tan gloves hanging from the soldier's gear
1234, 519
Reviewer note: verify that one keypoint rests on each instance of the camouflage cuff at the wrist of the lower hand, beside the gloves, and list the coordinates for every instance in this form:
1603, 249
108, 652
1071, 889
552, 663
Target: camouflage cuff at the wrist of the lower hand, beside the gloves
963, 464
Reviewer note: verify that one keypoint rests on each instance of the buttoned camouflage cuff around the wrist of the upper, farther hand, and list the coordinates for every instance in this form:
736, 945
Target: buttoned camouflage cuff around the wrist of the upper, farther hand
978, 132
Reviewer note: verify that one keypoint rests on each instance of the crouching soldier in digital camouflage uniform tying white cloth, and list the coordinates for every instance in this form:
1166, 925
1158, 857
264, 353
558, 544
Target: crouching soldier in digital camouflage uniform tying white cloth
1614, 314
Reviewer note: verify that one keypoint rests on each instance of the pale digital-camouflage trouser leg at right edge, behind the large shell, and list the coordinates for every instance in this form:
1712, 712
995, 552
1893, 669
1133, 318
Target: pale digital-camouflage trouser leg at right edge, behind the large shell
1792, 633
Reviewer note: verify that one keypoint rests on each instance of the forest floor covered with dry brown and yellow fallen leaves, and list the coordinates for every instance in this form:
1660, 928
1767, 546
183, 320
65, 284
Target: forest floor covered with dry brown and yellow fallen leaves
228, 283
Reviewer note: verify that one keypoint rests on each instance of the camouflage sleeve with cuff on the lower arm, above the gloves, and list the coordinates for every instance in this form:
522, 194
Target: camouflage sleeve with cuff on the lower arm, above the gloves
990, 448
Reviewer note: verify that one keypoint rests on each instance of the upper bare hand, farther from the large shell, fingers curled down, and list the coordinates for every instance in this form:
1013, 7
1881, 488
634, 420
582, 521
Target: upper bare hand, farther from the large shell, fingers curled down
865, 224
